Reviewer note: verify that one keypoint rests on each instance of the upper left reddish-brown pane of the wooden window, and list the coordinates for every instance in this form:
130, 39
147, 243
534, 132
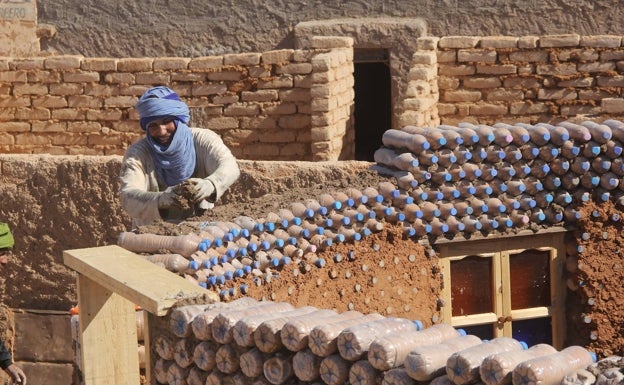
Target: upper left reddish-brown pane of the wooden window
471, 286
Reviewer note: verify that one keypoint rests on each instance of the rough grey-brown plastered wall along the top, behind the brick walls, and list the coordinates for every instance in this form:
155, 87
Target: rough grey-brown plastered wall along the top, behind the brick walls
126, 28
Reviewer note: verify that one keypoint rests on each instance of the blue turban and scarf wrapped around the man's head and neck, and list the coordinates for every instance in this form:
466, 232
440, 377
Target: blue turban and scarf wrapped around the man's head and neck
175, 163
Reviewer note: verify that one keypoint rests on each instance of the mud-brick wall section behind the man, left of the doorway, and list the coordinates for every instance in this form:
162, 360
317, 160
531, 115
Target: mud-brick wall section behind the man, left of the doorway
260, 103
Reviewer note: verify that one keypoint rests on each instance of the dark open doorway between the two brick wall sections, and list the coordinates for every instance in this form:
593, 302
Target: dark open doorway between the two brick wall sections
372, 100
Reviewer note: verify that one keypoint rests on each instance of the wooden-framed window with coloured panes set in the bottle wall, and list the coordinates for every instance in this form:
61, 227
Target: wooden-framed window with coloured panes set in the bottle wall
508, 286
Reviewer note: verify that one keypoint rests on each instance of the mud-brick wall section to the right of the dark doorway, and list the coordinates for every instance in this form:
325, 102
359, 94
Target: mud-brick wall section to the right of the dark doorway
522, 79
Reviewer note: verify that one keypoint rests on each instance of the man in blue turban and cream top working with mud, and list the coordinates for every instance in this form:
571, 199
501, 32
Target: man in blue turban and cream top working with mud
172, 153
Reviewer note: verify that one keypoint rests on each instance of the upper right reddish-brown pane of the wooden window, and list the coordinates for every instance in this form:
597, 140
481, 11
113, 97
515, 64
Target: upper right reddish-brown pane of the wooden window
530, 279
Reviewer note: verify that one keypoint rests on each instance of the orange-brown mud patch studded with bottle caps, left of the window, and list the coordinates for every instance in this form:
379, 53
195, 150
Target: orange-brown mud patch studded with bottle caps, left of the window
385, 273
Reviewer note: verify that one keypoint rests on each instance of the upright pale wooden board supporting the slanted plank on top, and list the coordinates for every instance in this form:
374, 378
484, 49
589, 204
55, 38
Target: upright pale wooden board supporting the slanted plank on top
108, 336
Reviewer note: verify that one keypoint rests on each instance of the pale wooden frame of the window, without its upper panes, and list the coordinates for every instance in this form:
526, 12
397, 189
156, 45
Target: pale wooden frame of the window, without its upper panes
548, 240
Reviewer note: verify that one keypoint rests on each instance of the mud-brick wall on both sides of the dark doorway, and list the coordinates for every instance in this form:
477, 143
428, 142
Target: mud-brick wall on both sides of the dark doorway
297, 104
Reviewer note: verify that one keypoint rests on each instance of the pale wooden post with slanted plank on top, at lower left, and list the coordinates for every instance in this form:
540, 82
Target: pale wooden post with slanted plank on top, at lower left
111, 281
